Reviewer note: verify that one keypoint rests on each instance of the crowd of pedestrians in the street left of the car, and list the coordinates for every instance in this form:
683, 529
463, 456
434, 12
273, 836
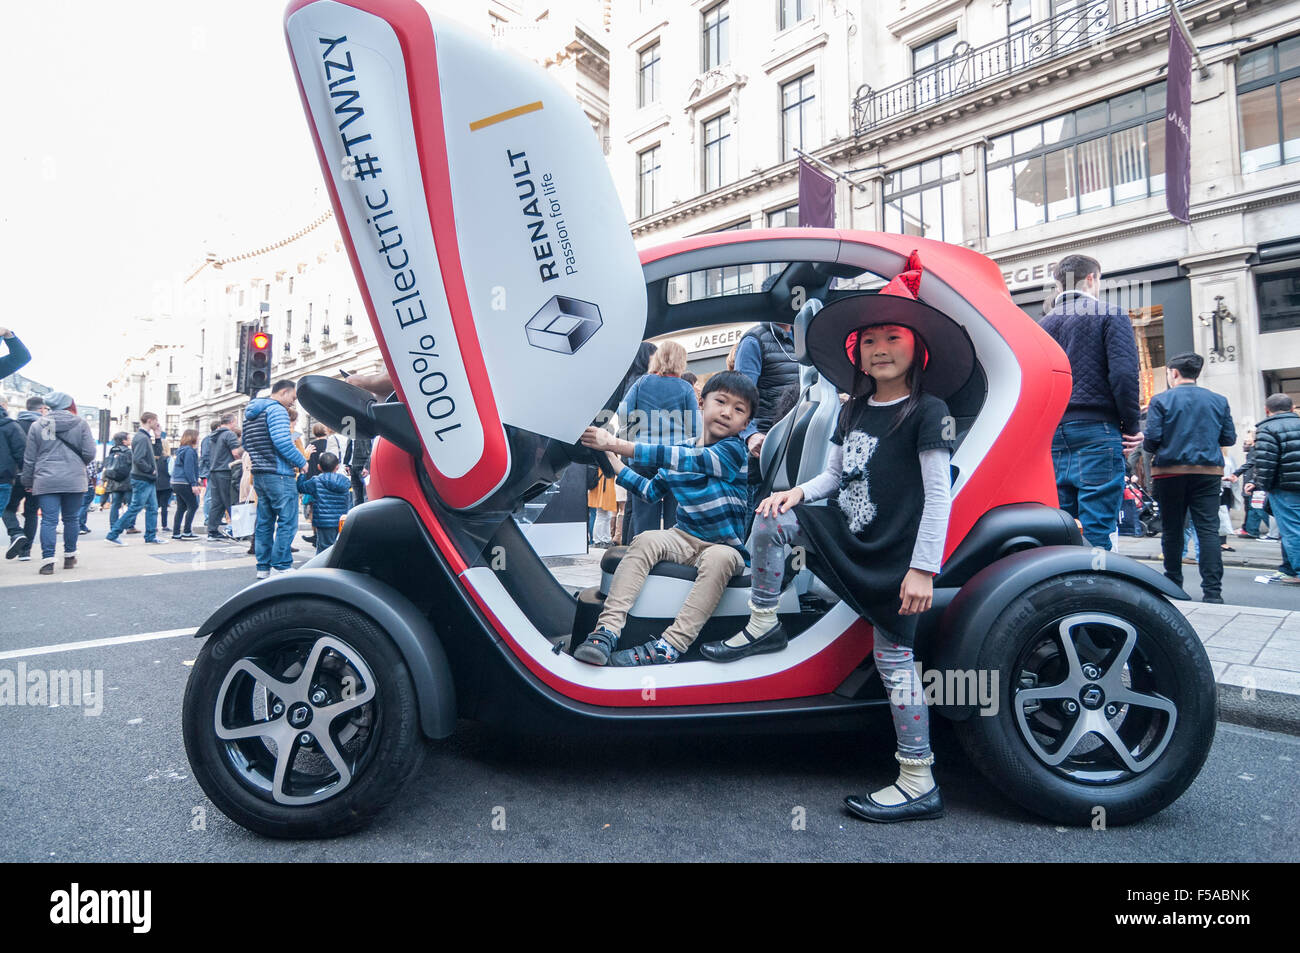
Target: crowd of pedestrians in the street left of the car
250, 465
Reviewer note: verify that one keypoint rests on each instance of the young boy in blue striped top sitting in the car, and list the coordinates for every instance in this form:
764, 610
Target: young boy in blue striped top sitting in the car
708, 479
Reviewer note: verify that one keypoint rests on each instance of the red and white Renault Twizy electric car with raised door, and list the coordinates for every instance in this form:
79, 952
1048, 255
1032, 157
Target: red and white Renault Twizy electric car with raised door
309, 704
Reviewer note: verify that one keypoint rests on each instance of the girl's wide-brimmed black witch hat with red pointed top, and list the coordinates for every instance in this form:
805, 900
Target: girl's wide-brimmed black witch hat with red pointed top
829, 339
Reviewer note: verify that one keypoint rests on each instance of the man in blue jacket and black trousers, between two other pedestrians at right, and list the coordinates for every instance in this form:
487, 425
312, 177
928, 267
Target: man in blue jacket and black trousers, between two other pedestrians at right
1188, 428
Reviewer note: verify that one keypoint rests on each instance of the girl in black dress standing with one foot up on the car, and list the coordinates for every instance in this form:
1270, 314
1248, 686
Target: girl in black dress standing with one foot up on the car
879, 544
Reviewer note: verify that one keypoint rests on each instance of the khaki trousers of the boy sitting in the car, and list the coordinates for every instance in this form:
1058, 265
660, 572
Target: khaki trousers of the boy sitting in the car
714, 565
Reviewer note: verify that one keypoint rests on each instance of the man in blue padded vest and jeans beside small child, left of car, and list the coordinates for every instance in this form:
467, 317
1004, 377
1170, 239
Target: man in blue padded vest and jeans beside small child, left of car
271, 454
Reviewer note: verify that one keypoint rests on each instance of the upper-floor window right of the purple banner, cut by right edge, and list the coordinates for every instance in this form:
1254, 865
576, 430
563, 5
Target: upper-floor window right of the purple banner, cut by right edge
1268, 102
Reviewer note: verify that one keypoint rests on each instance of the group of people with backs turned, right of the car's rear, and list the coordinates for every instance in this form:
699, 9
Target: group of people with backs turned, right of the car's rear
1178, 449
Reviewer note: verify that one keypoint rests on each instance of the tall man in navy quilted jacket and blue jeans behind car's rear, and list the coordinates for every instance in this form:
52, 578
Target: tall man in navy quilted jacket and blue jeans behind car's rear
1100, 424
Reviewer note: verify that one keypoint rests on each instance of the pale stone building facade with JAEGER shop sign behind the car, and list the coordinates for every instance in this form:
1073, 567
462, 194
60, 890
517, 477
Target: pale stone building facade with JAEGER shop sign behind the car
1024, 129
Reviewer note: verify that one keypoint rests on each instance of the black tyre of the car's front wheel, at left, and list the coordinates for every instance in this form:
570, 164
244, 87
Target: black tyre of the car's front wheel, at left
378, 740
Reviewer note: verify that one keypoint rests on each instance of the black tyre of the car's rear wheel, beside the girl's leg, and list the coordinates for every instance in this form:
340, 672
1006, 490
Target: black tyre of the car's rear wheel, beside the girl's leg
1167, 662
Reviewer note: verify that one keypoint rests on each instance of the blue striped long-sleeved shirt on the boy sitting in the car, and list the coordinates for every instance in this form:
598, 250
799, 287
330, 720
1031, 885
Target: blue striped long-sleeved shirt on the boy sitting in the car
710, 486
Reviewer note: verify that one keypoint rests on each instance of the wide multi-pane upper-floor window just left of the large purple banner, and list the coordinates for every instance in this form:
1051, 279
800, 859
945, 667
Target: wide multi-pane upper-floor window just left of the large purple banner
1093, 158
